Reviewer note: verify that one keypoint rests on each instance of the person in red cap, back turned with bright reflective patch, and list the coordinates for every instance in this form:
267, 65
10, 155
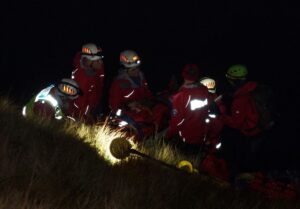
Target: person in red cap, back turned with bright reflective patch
190, 110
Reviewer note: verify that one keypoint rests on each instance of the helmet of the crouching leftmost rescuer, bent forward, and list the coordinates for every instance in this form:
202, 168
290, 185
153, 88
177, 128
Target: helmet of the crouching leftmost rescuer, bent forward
69, 87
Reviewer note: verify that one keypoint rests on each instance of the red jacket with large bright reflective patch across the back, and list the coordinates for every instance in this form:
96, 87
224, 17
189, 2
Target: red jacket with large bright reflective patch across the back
190, 109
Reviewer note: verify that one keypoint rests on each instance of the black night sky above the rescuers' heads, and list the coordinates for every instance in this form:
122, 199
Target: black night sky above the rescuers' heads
40, 38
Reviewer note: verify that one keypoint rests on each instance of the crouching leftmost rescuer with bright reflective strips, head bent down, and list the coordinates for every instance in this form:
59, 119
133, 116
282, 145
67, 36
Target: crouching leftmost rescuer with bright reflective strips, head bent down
55, 101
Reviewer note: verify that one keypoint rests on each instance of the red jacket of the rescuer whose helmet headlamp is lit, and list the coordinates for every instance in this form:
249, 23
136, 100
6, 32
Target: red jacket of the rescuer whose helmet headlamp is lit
123, 91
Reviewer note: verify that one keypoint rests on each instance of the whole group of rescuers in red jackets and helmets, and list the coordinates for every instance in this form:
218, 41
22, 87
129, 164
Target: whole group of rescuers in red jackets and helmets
196, 115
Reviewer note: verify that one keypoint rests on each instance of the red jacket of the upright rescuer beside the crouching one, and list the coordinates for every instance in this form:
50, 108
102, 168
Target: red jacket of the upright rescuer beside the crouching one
90, 85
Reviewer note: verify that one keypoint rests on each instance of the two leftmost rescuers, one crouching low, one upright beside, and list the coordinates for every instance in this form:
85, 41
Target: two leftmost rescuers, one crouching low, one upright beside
76, 97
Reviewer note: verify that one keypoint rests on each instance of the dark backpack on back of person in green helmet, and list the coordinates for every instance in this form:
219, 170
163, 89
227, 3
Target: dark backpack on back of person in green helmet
263, 97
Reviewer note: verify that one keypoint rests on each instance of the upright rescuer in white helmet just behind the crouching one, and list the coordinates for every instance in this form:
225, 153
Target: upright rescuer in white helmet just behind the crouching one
89, 73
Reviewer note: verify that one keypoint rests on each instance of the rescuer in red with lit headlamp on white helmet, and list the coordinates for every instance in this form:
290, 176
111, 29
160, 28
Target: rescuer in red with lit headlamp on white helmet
130, 93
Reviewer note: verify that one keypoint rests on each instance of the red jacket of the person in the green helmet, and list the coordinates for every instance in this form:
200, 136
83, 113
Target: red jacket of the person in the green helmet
243, 116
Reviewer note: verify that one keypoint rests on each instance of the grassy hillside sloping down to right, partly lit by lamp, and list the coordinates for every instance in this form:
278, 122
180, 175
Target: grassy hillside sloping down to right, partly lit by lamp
47, 165
